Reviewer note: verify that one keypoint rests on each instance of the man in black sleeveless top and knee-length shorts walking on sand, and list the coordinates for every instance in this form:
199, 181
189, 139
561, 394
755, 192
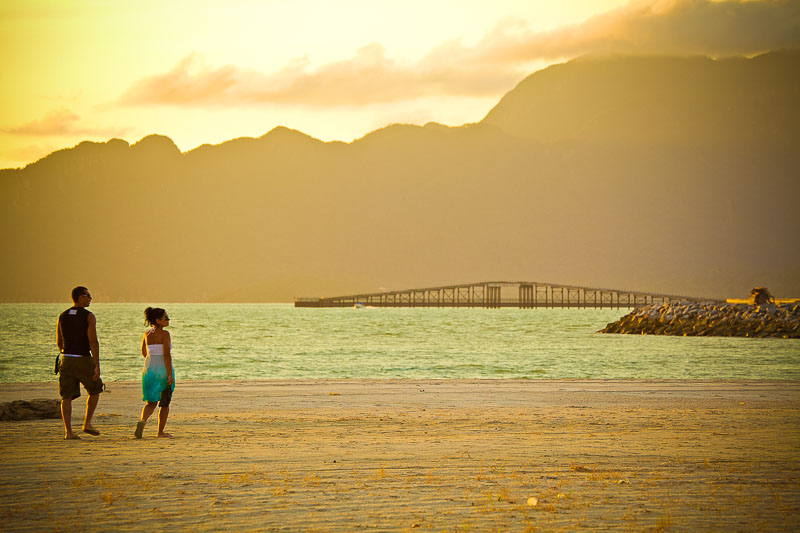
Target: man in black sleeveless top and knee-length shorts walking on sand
76, 336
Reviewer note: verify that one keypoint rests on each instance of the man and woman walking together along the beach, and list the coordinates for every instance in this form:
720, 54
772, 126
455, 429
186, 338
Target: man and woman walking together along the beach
76, 337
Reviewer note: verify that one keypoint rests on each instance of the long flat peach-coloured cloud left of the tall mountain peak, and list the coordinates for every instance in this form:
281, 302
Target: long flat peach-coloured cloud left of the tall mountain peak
368, 77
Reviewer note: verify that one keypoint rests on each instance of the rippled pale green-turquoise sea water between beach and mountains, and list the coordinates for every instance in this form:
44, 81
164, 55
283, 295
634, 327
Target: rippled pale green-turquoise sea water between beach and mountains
278, 341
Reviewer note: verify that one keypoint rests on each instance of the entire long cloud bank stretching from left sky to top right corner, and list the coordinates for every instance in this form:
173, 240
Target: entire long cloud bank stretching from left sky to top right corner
702, 27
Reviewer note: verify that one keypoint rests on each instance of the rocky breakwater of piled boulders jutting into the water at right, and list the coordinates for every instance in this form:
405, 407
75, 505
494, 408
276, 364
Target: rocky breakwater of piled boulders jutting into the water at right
711, 319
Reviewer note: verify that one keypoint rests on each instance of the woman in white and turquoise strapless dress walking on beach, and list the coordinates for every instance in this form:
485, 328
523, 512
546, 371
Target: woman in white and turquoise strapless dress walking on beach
158, 376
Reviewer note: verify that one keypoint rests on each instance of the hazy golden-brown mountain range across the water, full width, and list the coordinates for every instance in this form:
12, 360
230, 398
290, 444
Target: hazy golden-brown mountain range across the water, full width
663, 174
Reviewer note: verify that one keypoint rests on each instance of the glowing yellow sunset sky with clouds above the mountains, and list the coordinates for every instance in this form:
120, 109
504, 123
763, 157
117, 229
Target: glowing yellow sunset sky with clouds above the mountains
203, 72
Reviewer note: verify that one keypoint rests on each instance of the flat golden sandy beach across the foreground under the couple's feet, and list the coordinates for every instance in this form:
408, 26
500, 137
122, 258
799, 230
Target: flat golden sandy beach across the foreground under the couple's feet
450, 455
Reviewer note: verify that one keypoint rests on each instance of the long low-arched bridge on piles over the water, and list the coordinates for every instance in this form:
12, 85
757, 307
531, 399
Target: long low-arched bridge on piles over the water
496, 294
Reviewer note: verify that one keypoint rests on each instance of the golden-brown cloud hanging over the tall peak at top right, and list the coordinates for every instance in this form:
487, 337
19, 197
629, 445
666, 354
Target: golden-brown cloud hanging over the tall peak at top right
696, 27
